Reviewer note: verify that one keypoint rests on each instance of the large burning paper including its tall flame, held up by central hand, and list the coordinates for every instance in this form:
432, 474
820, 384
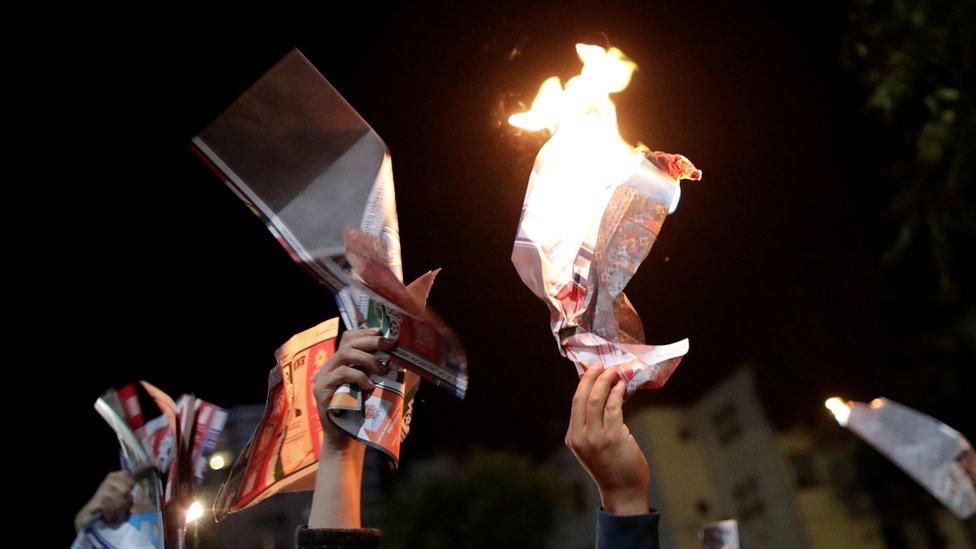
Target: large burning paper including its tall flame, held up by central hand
593, 208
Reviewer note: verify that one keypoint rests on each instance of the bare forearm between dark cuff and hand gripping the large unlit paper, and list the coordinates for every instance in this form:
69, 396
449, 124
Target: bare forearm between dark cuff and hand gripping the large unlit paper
336, 500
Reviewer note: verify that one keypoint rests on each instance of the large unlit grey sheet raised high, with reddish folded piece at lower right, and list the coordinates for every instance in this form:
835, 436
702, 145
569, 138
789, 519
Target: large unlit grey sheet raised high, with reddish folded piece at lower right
303, 159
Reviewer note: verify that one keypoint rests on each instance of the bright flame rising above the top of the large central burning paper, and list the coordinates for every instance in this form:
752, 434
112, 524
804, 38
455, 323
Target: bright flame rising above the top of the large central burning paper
585, 152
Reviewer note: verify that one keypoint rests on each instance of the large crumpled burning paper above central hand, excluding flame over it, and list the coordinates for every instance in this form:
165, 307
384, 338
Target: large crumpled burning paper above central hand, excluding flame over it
578, 253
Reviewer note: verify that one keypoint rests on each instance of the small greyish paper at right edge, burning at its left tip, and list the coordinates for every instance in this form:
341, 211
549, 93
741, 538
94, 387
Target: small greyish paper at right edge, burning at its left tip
937, 456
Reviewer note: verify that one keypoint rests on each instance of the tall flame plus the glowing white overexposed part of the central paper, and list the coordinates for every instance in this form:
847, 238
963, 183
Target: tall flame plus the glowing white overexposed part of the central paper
585, 159
